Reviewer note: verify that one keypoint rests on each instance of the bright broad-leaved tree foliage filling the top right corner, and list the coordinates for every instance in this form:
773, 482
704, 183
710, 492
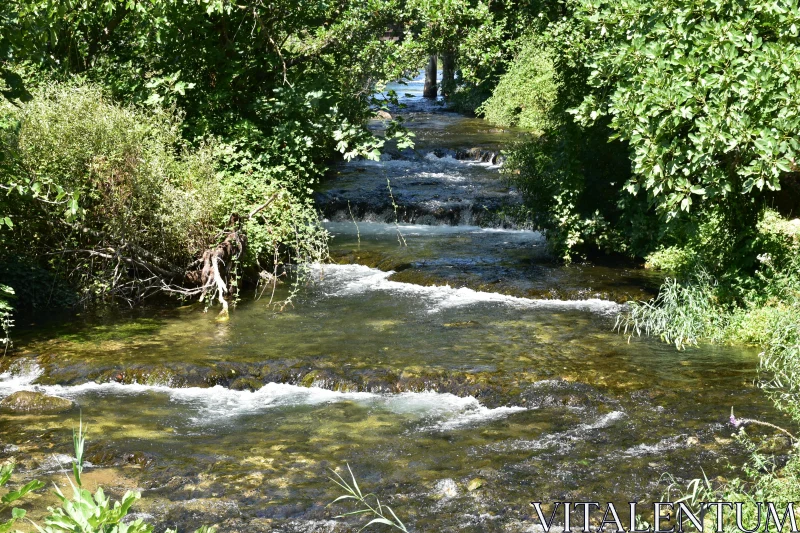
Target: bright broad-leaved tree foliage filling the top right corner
705, 93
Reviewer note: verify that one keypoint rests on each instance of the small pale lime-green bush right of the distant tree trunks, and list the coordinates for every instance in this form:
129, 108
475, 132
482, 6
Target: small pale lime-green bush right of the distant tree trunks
526, 94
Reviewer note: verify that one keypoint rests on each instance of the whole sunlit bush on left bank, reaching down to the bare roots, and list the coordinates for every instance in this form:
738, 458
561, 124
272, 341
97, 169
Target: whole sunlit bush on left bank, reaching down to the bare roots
111, 199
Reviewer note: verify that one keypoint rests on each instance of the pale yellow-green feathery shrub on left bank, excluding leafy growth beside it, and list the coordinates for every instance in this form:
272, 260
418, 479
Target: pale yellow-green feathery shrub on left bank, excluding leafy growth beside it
74, 144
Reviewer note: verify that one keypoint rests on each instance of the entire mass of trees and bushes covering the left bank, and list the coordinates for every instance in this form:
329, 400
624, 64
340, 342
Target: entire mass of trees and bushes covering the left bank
170, 148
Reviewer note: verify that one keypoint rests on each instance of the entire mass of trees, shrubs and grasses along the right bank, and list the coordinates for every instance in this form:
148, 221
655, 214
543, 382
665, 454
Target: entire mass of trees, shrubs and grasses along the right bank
667, 131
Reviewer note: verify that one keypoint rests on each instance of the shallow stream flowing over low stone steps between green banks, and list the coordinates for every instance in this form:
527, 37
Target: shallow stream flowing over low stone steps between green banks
444, 356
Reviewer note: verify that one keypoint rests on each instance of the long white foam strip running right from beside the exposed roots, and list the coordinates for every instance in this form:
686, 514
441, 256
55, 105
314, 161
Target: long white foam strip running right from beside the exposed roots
348, 280
